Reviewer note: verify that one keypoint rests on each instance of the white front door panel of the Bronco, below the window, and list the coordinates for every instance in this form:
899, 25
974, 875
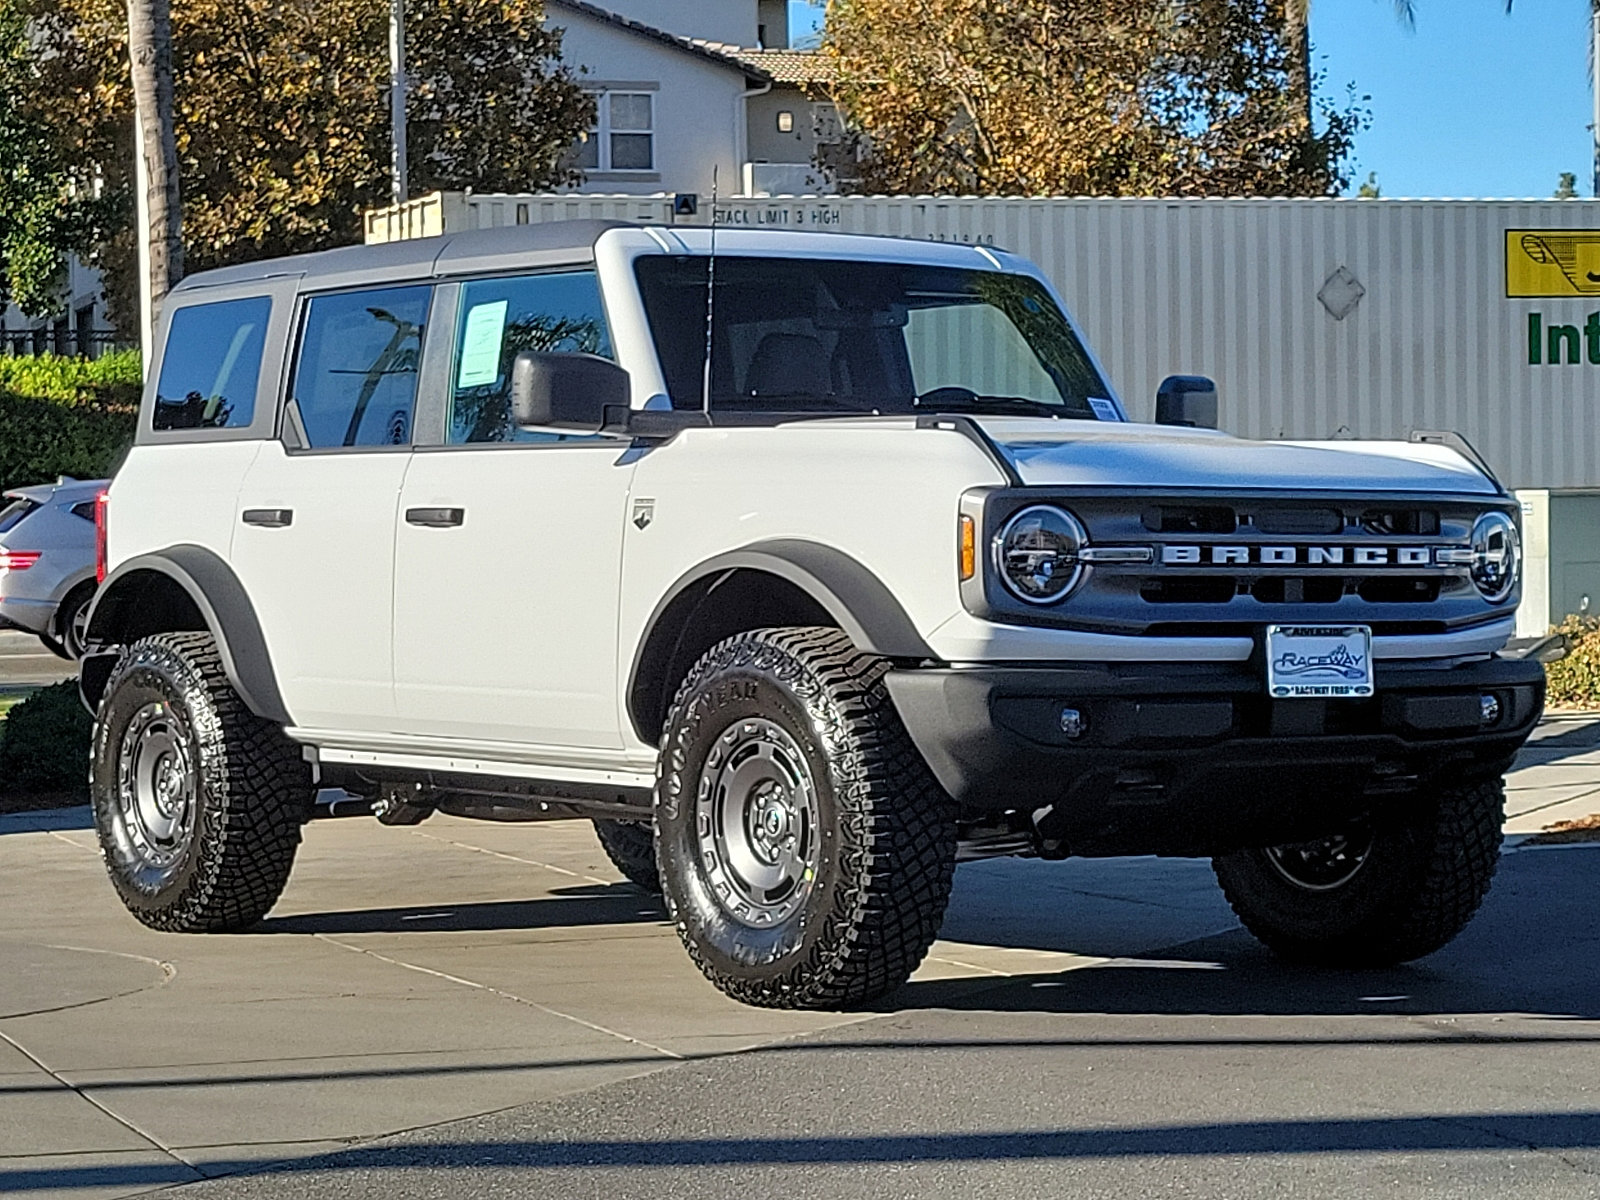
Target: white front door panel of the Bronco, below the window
508, 562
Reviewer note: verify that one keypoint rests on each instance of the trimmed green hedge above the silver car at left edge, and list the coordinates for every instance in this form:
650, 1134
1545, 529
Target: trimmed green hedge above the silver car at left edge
66, 417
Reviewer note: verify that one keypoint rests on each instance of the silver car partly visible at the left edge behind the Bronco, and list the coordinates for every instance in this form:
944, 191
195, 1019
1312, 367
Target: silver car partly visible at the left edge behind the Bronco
47, 562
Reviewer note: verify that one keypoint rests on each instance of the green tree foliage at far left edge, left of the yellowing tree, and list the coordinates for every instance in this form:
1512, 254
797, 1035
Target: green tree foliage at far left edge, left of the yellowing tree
46, 210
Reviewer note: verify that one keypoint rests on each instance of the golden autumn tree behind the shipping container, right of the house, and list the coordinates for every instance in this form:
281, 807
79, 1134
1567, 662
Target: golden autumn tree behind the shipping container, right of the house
1084, 97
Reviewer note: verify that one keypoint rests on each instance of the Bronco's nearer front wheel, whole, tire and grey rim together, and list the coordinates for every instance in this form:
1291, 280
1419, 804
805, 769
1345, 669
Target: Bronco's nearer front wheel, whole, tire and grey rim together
806, 850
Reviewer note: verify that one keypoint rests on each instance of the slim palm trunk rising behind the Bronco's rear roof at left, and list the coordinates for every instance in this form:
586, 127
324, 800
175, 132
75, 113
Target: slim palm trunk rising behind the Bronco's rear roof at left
151, 62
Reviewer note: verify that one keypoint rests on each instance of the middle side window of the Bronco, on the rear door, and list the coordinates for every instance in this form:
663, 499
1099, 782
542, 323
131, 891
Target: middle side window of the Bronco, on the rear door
356, 375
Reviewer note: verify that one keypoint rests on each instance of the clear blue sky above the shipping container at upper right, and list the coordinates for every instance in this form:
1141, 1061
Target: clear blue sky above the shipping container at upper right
1474, 103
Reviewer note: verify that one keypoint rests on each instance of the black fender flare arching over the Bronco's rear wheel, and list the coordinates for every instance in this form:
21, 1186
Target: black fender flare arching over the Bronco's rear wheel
225, 607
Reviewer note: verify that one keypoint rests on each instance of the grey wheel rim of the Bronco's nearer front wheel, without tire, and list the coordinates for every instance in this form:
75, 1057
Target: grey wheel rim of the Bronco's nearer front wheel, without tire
756, 820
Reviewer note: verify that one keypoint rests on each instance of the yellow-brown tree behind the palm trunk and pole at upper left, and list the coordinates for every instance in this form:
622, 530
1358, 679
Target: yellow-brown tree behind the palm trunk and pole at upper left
282, 111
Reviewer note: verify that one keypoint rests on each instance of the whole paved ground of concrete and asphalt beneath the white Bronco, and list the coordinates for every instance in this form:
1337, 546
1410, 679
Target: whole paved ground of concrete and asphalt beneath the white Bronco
465, 1010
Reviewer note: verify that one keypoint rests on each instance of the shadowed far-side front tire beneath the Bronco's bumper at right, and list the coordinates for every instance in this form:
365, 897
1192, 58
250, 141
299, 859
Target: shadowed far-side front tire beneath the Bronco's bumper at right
1425, 878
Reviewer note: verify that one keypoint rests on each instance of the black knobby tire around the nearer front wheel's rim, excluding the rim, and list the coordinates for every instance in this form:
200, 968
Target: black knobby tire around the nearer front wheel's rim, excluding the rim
886, 828
